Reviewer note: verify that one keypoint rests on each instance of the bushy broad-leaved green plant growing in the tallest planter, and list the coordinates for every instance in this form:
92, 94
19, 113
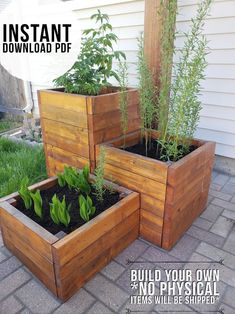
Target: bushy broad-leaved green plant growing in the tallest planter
94, 65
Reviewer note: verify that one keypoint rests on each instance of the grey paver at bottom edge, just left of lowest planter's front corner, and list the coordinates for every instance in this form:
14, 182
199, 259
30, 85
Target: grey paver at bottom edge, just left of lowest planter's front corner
38, 299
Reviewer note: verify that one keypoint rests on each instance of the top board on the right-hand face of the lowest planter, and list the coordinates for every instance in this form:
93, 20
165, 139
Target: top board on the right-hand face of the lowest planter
100, 225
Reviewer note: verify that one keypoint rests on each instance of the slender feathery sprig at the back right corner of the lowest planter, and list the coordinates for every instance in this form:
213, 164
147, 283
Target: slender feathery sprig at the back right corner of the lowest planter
99, 183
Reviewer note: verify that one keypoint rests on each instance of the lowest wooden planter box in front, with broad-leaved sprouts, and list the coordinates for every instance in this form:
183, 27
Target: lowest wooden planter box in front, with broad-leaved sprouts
65, 265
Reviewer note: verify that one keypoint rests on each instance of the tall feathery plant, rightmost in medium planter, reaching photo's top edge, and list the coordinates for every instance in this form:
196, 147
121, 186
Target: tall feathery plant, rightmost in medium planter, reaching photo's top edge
184, 111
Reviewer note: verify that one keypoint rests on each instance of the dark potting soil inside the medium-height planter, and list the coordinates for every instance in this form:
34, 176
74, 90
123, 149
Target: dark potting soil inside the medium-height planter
154, 150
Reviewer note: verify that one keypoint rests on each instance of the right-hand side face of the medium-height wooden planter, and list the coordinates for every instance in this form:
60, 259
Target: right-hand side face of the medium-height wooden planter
187, 198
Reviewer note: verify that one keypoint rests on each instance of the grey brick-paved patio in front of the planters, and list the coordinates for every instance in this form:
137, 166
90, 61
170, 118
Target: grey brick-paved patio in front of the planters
211, 238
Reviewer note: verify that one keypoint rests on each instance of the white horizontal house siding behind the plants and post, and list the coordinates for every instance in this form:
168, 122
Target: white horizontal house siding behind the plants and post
218, 91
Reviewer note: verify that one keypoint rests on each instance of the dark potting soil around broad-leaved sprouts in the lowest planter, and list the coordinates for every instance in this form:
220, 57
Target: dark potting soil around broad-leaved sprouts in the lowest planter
71, 197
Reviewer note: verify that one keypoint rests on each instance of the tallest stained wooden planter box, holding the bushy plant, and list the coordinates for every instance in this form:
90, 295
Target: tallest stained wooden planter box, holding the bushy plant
73, 124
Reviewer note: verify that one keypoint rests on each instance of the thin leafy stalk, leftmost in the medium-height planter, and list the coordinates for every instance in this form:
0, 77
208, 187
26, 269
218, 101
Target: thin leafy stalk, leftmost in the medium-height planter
123, 98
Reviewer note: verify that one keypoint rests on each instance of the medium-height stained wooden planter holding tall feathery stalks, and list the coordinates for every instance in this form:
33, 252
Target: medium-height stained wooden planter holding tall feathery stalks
172, 195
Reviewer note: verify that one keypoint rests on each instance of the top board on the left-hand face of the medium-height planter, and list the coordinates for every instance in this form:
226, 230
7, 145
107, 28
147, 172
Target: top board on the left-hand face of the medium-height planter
139, 165
